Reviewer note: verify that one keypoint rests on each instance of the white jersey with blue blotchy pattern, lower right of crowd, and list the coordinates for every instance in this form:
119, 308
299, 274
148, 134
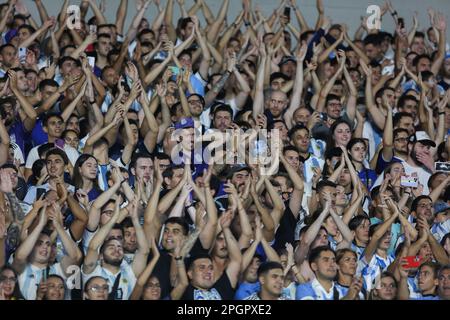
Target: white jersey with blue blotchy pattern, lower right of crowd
370, 271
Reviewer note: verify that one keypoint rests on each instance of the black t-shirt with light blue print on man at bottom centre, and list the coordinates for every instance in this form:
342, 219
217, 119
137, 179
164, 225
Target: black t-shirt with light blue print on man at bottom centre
221, 290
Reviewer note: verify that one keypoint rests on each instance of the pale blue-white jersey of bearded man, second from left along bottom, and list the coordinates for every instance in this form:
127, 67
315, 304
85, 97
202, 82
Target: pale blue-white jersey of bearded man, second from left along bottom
127, 278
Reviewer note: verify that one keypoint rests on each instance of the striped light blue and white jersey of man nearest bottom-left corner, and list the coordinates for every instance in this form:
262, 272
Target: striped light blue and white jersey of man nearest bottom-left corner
30, 278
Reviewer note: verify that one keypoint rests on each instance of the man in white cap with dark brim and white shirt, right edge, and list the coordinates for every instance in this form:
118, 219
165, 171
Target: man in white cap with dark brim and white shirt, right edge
420, 161
